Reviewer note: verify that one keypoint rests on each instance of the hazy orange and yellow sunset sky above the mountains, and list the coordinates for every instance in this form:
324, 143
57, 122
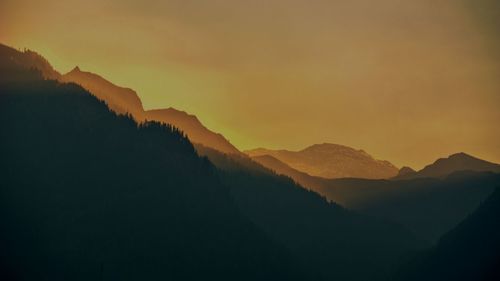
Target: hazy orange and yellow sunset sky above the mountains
408, 81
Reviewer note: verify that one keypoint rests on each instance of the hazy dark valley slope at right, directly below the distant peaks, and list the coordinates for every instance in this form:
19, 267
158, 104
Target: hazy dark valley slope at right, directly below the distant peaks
427, 206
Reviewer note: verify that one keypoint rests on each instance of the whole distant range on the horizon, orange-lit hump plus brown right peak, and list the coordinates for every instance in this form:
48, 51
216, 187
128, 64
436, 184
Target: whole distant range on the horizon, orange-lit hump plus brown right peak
311, 166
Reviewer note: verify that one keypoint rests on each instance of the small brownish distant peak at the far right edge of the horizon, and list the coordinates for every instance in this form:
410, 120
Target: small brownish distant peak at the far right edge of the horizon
454, 163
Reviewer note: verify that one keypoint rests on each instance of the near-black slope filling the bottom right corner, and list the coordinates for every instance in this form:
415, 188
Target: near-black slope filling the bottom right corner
471, 251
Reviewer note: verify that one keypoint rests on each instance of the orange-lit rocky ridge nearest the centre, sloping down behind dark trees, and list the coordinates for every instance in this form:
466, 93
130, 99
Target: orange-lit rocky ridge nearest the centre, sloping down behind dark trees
195, 130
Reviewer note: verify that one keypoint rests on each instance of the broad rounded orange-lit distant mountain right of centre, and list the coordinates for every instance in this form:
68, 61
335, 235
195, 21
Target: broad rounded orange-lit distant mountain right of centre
332, 161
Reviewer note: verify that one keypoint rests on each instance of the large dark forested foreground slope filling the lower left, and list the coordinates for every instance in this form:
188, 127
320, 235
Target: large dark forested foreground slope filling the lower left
89, 195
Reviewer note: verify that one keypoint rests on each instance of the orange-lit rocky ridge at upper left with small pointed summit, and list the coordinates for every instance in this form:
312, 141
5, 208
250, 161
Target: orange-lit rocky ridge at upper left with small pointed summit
119, 99
